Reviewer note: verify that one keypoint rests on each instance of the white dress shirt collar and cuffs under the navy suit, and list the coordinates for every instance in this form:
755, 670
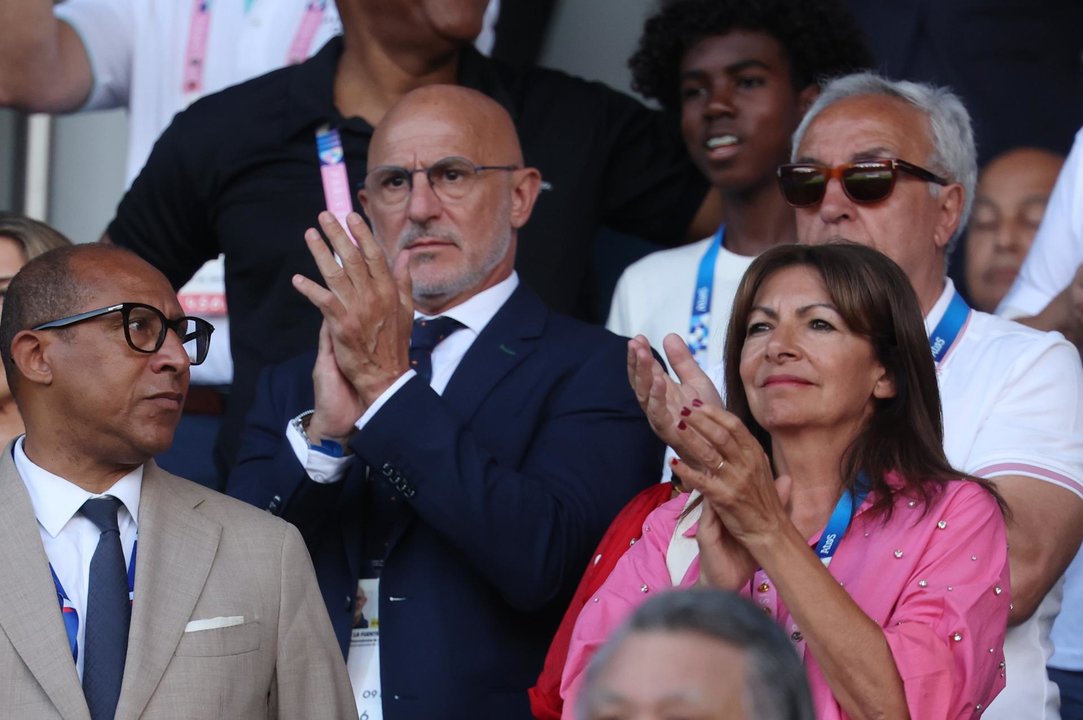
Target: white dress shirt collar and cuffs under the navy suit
475, 315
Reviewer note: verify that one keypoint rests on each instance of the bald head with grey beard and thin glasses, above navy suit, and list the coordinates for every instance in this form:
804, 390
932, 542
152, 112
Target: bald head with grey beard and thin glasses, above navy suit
447, 186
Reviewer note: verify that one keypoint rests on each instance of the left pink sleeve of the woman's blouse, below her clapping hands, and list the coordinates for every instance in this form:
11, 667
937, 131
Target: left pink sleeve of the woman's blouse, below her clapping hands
643, 567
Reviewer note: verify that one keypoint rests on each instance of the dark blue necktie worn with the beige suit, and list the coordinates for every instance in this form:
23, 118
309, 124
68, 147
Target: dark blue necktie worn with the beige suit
109, 613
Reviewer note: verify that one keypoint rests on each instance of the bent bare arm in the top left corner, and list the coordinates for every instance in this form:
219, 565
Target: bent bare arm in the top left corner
44, 66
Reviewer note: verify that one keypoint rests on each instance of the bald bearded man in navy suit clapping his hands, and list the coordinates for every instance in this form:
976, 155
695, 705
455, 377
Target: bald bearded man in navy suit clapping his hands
459, 478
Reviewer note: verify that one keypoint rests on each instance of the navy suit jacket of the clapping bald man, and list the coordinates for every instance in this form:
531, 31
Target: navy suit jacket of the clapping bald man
508, 481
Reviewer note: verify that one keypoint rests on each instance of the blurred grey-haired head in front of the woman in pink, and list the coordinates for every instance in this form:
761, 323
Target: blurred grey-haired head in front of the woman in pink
699, 653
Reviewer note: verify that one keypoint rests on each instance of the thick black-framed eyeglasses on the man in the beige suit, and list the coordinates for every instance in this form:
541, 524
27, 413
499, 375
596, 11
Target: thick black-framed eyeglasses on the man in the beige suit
146, 329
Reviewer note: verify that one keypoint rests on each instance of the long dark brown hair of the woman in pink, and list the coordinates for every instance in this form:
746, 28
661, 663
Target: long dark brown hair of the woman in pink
877, 300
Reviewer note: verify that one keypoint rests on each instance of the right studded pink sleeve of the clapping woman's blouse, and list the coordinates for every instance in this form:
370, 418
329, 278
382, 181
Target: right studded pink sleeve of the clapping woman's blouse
947, 633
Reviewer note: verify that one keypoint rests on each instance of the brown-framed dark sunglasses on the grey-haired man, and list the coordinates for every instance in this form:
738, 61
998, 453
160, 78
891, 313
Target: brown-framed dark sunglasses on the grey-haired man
804, 185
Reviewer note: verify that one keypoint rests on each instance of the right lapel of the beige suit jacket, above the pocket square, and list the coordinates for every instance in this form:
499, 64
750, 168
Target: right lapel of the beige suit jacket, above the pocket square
177, 547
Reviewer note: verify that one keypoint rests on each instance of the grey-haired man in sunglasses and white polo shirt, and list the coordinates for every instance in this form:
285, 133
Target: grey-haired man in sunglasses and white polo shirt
892, 165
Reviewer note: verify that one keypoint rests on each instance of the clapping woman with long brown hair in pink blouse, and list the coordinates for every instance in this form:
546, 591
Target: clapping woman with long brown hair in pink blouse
825, 496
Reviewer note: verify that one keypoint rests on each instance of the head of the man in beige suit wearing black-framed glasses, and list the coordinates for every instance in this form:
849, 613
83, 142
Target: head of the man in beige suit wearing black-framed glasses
97, 352
